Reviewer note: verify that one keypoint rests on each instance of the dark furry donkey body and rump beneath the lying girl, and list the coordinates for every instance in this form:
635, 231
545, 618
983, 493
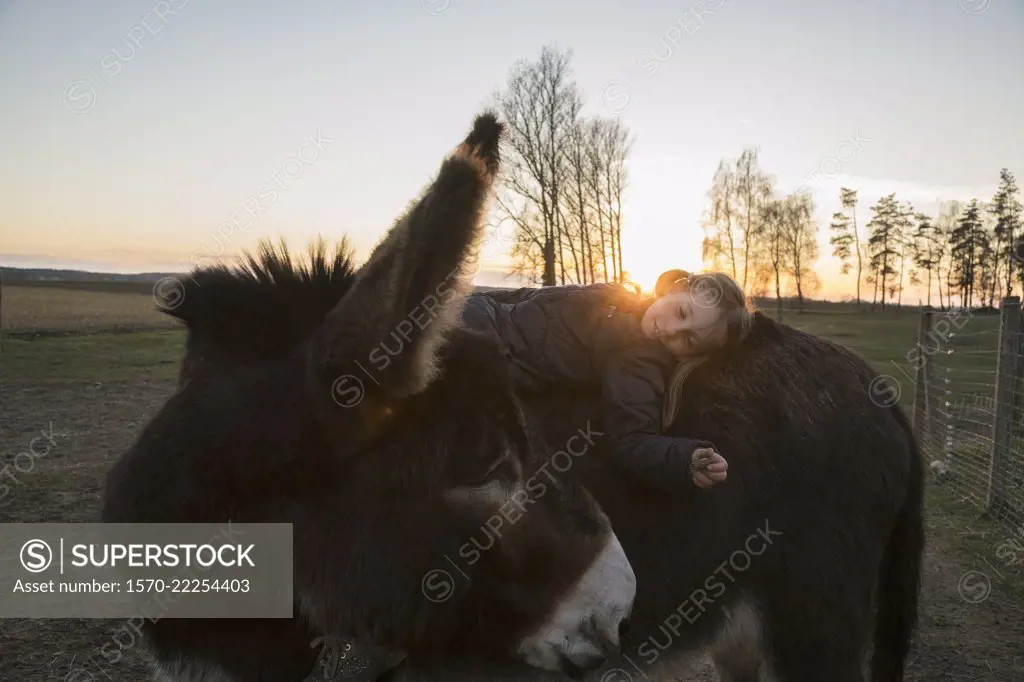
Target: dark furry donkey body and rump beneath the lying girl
791, 570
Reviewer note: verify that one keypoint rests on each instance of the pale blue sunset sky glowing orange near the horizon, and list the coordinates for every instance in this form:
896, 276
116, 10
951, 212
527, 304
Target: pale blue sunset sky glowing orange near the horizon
133, 130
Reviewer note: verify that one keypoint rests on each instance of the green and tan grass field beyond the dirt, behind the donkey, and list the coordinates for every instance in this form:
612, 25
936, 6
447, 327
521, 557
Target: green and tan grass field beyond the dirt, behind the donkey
76, 334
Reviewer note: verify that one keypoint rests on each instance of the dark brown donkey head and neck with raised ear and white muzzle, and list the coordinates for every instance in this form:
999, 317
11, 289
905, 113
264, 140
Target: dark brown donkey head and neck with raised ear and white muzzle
349, 404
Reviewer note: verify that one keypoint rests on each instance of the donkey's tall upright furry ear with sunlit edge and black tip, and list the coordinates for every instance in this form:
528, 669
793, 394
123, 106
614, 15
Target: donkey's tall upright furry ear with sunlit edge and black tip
383, 338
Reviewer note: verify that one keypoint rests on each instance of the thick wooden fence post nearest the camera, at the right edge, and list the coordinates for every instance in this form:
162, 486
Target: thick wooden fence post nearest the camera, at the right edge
1006, 399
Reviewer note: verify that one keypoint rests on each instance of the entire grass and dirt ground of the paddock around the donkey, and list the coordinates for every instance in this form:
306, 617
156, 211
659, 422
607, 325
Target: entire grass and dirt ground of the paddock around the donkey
98, 362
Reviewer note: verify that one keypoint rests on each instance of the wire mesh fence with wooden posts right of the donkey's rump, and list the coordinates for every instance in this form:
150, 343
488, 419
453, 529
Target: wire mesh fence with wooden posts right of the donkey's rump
969, 407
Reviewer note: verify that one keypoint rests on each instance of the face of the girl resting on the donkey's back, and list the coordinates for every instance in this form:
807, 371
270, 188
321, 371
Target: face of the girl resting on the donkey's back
685, 324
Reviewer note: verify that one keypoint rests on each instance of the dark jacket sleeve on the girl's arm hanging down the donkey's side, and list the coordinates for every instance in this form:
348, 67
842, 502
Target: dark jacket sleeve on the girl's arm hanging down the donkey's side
633, 391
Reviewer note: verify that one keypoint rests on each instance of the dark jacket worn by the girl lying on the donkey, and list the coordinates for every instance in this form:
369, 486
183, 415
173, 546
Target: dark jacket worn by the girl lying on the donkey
590, 336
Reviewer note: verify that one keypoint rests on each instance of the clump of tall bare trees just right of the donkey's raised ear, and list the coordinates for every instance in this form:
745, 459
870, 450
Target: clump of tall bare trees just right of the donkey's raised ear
565, 180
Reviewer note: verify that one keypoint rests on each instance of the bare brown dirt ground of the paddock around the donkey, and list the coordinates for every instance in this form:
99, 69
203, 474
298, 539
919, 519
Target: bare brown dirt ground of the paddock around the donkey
93, 423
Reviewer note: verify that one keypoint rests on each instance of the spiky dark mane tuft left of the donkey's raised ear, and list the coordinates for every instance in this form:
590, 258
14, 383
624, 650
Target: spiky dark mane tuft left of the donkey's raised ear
269, 302
